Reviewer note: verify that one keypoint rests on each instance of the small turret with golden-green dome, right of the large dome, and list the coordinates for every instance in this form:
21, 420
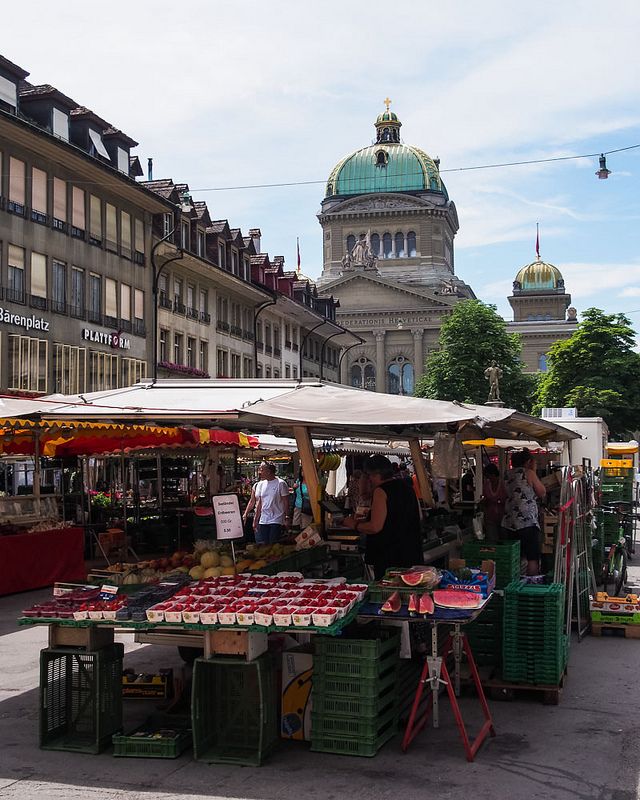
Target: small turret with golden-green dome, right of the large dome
542, 311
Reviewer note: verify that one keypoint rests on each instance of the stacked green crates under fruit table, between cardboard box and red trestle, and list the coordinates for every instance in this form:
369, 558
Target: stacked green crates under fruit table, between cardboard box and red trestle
355, 698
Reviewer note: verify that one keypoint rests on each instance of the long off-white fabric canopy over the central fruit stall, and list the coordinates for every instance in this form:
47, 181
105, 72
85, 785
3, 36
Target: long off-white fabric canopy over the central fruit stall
279, 406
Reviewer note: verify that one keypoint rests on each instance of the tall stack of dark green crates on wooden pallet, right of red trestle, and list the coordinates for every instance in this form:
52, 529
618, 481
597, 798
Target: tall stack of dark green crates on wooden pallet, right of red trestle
535, 646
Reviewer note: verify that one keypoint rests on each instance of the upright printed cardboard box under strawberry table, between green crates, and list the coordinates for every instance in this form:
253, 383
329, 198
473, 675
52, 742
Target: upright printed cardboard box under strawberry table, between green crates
297, 676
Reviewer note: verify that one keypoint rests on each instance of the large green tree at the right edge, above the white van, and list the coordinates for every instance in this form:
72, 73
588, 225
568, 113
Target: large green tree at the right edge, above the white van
597, 371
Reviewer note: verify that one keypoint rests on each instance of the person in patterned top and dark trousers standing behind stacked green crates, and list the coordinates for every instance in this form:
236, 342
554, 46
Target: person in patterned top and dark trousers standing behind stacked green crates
520, 521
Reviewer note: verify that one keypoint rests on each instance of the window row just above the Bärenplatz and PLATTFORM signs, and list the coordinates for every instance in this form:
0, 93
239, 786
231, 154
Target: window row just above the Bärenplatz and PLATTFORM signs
48, 283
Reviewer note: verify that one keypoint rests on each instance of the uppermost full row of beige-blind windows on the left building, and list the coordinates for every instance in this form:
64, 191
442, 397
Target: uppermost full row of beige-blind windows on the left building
70, 209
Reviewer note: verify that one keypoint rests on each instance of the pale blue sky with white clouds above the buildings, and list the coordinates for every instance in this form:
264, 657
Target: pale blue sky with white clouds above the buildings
226, 93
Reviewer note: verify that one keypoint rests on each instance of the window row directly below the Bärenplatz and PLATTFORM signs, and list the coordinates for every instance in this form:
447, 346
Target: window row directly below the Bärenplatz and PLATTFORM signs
75, 369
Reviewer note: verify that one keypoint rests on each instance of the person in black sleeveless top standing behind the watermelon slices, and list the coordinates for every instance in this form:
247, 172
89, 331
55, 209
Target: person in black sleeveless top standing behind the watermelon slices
393, 527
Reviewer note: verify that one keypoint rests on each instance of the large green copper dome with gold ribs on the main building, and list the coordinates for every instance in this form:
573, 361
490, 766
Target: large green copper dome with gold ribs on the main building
388, 167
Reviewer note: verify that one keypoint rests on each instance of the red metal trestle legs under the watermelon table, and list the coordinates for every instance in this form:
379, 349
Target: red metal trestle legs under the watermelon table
416, 723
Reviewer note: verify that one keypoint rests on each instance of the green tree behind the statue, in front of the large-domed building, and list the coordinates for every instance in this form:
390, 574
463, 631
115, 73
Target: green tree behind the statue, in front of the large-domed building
471, 338
